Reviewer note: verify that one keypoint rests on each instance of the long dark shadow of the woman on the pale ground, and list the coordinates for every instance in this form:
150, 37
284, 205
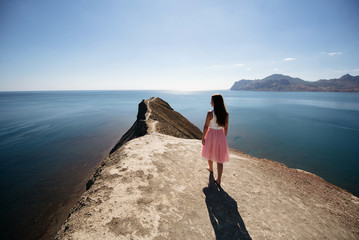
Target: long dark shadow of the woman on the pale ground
223, 213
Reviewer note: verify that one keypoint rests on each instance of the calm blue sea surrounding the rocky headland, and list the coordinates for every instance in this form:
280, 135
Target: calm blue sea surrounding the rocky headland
51, 141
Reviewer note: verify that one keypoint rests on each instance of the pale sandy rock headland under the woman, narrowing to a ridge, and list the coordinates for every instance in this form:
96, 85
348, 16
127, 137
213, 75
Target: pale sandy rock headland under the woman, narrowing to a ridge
154, 185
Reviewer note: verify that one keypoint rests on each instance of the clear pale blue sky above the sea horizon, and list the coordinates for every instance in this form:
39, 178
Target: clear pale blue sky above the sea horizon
173, 45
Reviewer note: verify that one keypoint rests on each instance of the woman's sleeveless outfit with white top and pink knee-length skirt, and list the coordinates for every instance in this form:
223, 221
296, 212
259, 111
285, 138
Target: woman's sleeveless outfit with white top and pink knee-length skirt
215, 147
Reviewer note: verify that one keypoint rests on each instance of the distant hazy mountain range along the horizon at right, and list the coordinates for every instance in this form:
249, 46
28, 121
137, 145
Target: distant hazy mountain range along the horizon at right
284, 83
